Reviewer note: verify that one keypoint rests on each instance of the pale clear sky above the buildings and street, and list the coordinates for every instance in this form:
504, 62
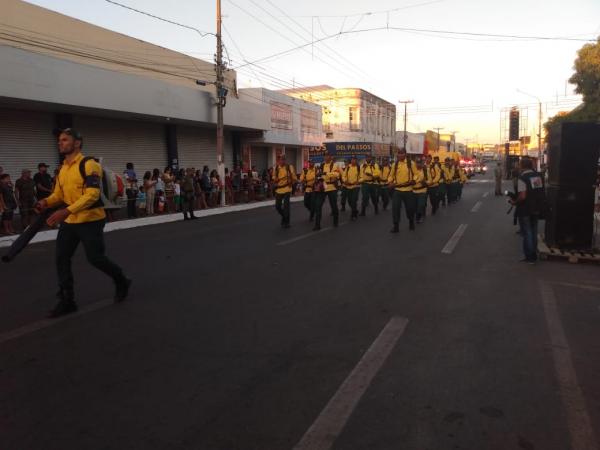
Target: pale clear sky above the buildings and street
443, 73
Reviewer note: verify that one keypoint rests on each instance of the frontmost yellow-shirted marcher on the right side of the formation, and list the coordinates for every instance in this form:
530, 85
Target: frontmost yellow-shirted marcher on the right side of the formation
402, 180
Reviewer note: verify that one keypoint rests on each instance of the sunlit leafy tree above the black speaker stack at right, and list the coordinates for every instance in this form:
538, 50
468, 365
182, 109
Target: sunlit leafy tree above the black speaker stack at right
587, 83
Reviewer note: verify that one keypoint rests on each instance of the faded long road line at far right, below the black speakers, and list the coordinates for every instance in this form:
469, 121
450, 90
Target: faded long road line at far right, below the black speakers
578, 419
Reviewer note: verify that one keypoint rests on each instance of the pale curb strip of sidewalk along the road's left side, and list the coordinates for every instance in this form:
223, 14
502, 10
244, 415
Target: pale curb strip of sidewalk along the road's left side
50, 235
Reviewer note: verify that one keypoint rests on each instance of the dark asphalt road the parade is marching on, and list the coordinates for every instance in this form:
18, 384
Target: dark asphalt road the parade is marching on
241, 335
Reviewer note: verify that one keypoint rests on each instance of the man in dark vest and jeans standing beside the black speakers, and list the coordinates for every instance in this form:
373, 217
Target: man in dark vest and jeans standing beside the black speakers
530, 202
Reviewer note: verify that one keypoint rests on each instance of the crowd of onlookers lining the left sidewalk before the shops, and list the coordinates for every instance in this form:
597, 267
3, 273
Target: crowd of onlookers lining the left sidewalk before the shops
154, 192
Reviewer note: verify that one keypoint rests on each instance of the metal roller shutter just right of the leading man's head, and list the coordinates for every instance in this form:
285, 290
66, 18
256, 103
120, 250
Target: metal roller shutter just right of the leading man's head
118, 142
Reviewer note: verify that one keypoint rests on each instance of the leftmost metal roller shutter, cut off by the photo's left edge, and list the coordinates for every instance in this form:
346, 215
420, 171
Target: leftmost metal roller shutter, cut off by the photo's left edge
26, 139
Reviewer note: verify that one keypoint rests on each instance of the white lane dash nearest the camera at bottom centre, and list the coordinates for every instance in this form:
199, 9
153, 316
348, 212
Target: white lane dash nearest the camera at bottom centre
326, 428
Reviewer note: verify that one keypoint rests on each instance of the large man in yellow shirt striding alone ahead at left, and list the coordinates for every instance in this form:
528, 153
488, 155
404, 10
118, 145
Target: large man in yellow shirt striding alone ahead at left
81, 217
